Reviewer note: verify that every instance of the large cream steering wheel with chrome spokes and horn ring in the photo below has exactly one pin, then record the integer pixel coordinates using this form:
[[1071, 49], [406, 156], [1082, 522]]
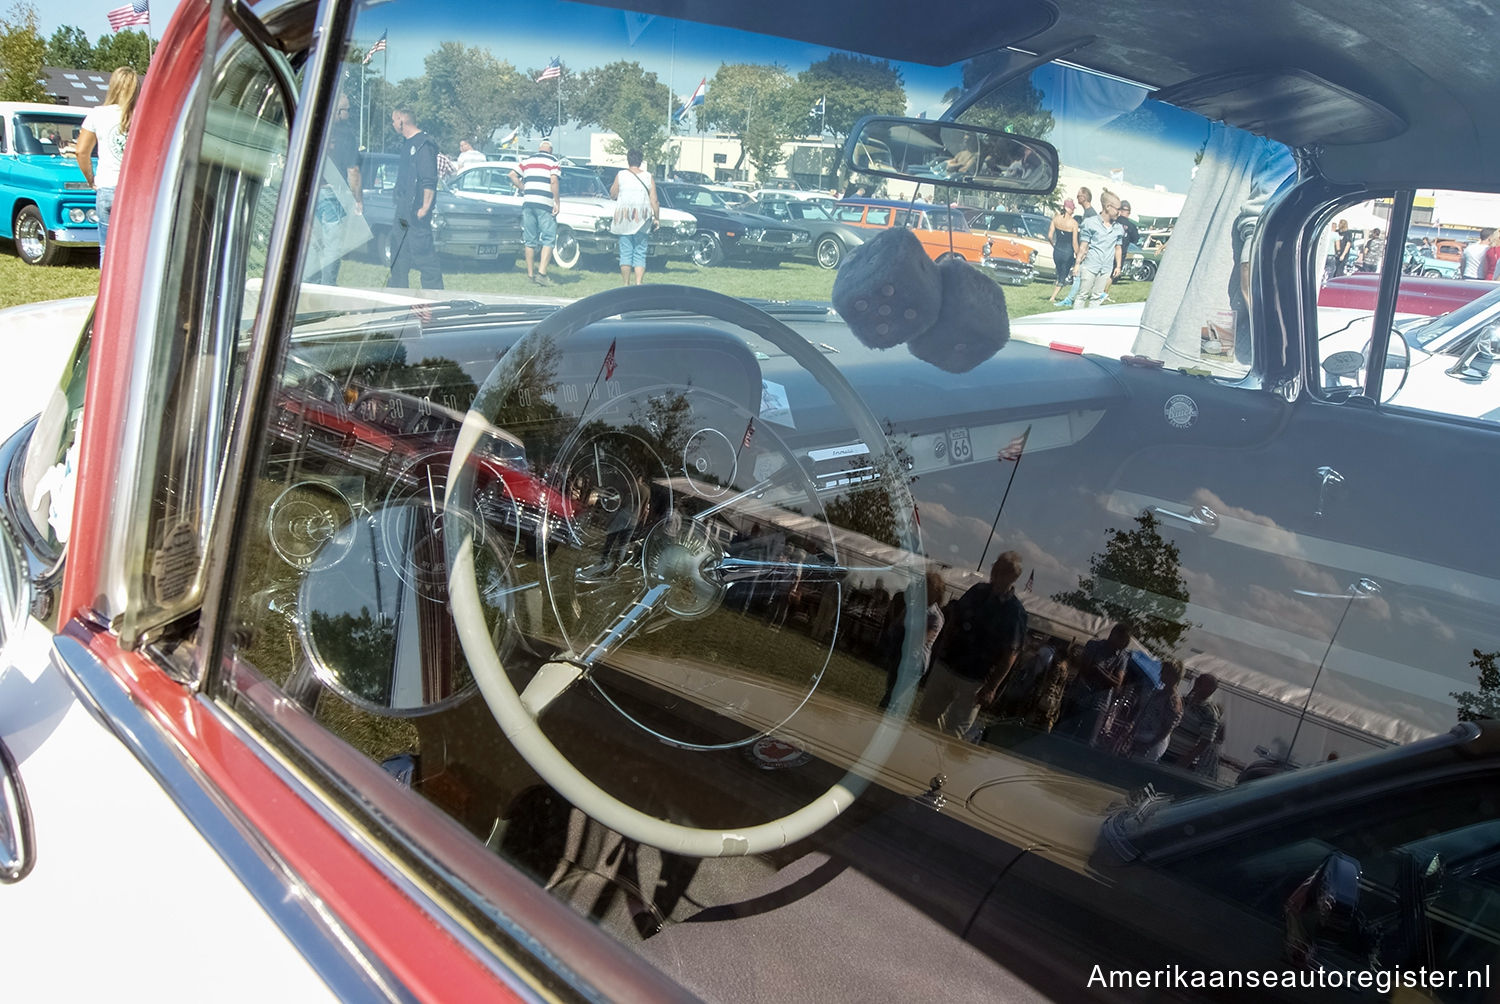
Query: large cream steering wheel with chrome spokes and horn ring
[[668, 500]]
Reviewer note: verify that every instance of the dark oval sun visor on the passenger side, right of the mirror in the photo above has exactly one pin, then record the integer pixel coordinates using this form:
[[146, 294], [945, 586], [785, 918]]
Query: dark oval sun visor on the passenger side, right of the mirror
[[1289, 106]]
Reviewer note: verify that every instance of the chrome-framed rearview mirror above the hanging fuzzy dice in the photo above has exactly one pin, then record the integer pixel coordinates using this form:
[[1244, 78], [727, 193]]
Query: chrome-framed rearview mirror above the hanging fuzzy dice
[[955, 155]]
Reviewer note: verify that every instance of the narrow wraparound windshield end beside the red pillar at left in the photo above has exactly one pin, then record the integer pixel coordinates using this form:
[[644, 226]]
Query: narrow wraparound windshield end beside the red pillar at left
[[199, 350]]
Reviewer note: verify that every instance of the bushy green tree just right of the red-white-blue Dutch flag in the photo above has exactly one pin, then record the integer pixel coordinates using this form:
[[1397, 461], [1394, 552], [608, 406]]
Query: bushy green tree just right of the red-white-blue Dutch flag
[[763, 106]]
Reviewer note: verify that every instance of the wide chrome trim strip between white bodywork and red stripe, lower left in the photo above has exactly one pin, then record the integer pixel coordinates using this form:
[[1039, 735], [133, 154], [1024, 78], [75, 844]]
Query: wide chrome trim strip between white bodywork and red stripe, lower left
[[335, 954]]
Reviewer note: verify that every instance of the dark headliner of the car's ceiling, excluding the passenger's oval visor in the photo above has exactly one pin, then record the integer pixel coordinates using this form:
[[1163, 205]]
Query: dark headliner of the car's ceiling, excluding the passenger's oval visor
[[1429, 61]]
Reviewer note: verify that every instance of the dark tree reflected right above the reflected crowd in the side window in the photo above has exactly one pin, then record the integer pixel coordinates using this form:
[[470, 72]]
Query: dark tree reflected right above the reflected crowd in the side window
[[1138, 579]]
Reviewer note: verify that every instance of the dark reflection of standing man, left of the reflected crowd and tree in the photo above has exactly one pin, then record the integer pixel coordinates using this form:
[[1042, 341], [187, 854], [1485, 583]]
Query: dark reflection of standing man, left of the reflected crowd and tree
[[982, 637]]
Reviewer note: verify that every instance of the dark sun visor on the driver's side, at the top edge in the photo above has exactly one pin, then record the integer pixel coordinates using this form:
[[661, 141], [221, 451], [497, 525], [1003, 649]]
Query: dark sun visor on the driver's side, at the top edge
[[952, 32]]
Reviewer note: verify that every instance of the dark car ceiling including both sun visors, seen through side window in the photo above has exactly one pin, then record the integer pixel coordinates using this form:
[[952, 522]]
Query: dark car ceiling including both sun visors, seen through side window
[[1379, 86]]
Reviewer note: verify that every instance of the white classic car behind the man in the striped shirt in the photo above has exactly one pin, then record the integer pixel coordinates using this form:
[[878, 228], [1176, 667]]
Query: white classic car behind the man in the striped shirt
[[587, 214]]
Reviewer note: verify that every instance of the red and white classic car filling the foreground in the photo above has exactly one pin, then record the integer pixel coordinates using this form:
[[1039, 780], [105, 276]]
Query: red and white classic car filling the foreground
[[673, 739]]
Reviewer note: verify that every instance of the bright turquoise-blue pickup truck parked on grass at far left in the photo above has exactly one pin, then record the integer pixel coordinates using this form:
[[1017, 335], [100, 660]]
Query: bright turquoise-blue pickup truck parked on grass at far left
[[46, 205]]
